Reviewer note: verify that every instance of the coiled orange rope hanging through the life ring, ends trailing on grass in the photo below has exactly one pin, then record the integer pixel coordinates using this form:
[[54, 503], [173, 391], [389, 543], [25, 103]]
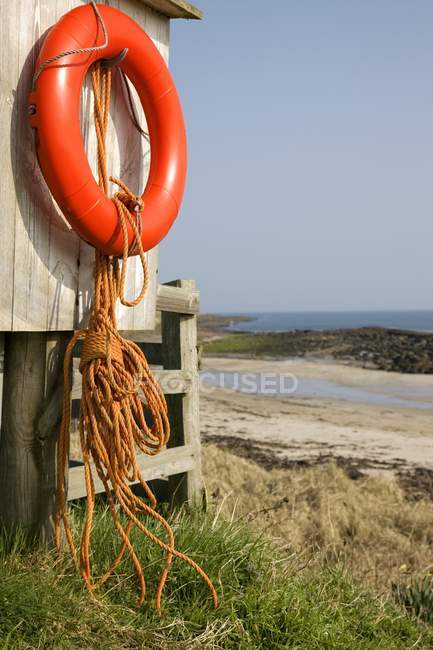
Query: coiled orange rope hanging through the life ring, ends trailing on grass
[[112, 422]]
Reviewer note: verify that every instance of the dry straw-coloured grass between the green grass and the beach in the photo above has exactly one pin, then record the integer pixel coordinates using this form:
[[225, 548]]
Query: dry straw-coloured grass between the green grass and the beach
[[327, 517]]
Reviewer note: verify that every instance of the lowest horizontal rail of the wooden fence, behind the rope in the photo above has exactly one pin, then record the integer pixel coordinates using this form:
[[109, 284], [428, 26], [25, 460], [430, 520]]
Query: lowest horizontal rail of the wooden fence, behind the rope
[[168, 461]]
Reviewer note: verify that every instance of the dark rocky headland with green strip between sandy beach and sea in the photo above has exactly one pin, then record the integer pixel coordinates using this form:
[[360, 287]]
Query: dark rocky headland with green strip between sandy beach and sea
[[371, 347]]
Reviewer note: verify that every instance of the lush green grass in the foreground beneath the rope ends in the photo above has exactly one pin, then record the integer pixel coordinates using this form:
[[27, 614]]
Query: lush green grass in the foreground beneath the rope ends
[[266, 600]]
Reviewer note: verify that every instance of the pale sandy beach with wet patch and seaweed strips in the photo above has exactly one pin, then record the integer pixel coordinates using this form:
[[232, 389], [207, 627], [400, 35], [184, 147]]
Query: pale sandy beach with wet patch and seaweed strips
[[372, 434]]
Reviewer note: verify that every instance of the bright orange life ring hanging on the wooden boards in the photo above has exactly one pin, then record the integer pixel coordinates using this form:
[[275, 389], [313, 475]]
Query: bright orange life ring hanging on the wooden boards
[[54, 108]]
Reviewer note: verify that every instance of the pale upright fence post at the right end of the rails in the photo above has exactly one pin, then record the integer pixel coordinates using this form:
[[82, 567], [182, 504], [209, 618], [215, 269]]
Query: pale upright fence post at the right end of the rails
[[179, 346]]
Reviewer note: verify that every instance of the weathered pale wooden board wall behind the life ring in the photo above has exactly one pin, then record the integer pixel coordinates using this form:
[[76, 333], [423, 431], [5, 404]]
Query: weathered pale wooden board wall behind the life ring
[[46, 271]]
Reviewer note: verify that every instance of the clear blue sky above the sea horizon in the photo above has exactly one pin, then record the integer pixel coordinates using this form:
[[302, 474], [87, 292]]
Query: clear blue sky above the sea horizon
[[310, 132]]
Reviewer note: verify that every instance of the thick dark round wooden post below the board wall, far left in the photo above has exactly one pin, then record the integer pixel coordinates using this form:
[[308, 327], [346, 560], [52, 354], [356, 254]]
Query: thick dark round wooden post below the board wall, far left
[[32, 409]]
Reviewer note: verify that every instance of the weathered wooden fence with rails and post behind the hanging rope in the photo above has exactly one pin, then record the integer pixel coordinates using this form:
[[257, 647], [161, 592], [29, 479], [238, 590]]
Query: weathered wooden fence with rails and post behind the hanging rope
[[174, 353]]
